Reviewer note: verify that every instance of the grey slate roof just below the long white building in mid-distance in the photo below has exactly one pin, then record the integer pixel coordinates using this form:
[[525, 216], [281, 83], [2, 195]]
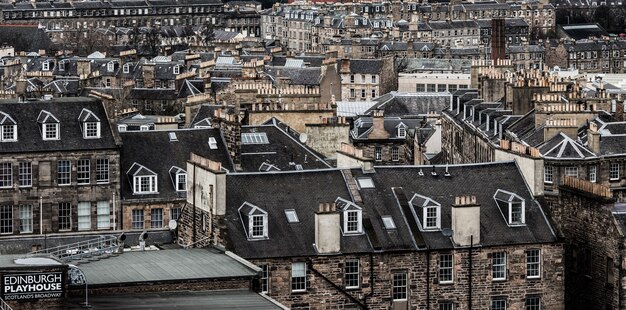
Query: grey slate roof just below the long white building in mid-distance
[[410, 104]]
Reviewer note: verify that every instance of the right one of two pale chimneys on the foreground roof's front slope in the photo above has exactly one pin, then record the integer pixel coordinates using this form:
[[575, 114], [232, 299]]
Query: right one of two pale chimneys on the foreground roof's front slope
[[465, 221]]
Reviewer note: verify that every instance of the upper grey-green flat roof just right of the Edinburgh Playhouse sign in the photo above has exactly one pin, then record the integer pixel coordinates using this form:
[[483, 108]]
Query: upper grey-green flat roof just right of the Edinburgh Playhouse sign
[[164, 265]]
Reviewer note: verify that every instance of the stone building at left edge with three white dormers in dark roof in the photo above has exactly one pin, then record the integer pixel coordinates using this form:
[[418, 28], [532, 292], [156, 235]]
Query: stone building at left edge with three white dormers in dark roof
[[59, 167]]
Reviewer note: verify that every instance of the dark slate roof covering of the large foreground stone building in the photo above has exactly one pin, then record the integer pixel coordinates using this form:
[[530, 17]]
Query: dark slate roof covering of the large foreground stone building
[[394, 187]]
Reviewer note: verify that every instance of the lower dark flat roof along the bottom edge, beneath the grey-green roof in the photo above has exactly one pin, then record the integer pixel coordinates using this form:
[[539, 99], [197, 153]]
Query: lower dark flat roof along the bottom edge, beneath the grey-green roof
[[227, 299]]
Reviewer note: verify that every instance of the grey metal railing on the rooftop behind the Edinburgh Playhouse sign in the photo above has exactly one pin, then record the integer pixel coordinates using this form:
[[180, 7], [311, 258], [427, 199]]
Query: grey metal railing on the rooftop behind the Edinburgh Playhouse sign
[[101, 246]]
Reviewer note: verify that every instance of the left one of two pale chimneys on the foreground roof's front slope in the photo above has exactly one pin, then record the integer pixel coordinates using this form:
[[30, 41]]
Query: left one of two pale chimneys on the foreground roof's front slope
[[327, 229]]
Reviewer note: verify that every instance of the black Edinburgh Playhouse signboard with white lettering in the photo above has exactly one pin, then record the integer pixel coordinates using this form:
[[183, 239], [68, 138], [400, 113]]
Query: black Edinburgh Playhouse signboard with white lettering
[[32, 286]]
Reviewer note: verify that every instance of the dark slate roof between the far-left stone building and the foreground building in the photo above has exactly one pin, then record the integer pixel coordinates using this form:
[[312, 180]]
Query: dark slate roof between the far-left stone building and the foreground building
[[154, 150]]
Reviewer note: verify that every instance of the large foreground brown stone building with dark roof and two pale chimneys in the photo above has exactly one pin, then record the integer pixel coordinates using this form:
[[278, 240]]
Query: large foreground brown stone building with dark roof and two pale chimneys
[[384, 237]]
